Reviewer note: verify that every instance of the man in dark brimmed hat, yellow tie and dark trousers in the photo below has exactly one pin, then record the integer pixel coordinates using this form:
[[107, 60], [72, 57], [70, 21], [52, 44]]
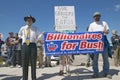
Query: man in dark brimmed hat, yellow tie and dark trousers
[[29, 35]]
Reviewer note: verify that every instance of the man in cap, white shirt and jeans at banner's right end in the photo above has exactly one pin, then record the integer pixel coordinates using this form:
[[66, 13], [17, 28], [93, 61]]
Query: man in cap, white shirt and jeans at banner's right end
[[102, 26]]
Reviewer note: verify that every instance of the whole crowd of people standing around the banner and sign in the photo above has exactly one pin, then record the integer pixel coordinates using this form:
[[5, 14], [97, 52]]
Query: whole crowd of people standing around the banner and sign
[[26, 47]]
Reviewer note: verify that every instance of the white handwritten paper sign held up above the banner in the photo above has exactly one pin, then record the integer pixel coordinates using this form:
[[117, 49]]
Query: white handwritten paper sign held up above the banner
[[65, 18]]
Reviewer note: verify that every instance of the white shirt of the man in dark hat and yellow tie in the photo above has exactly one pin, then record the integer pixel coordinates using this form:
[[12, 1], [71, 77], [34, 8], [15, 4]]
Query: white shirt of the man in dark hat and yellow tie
[[34, 32]]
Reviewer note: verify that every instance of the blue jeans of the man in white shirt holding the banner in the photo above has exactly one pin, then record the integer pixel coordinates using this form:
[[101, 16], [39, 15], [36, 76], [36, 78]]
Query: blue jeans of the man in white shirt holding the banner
[[105, 62]]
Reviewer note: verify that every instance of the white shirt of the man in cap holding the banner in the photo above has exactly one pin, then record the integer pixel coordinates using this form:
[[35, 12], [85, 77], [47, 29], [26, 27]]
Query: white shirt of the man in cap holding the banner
[[98, 26]]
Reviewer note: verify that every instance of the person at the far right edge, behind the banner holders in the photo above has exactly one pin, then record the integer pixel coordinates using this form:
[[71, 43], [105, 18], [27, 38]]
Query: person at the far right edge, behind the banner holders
[[115, 39]]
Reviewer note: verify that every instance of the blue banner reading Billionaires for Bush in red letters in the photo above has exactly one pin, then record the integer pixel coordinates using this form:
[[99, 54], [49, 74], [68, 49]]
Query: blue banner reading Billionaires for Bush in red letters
[[73, 43]]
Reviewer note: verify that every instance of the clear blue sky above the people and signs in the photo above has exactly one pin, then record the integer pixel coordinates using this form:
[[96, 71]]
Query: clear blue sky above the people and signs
[[12, 13]]
